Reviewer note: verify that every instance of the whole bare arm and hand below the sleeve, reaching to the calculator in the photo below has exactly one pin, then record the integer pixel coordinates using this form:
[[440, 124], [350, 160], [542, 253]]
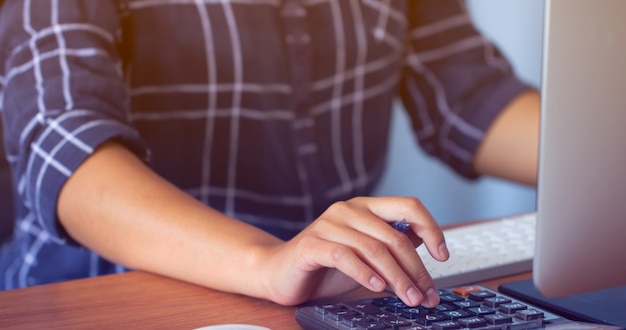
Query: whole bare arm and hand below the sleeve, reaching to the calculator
[[116, 206]]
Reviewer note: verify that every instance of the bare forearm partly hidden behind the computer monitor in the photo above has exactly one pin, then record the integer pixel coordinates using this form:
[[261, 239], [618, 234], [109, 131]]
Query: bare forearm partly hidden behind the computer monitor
[[510, 149]]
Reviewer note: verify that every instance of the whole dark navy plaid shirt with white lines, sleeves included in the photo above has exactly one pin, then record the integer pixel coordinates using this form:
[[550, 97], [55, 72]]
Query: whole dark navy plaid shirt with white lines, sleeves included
[[267, 110]]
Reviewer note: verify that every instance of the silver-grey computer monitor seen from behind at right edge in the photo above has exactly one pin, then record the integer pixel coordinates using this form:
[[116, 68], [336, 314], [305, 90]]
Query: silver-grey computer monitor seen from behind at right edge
[[581, 196]]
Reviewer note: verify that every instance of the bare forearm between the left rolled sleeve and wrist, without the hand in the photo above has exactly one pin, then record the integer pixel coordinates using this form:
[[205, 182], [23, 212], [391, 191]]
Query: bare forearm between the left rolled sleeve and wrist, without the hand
[[116, 206]]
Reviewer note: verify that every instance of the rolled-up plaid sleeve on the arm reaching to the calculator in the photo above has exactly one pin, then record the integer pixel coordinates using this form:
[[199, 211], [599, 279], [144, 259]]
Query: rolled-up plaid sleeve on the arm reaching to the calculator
[[61, 95]]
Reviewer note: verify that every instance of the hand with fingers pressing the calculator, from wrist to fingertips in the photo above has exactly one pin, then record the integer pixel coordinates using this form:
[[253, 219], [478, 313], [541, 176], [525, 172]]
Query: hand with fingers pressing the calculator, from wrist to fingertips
[[352, 244]]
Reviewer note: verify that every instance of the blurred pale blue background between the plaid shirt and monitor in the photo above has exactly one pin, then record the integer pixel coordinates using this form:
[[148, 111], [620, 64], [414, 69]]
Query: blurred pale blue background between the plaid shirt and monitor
[[515, 26]]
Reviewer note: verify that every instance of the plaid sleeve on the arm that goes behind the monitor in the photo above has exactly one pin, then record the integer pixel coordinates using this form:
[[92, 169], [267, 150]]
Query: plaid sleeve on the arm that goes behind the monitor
[[455, 82]]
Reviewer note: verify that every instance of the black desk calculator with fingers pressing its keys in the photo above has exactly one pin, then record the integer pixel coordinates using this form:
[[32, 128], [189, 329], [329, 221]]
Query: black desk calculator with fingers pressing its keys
[[466, 307]]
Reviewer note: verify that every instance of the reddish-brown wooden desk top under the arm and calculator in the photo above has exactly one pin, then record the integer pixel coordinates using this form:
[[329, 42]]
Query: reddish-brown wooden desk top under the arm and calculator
[[137, 300]]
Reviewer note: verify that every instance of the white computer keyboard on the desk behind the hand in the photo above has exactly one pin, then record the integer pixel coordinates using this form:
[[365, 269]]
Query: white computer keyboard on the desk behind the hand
[[484, 250]]
